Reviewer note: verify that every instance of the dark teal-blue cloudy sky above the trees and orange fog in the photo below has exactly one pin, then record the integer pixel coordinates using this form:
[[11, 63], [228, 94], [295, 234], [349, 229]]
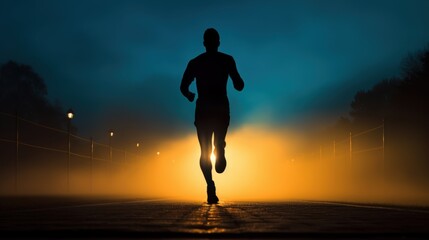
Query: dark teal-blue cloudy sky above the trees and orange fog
[[118, 64]]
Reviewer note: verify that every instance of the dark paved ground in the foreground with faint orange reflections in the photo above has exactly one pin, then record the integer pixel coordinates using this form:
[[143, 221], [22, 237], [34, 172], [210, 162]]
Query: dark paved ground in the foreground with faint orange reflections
[[89, 218]]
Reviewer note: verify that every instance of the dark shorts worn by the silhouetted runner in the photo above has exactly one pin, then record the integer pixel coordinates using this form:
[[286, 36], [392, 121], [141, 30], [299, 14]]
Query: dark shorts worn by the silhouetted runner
[[212, 114]]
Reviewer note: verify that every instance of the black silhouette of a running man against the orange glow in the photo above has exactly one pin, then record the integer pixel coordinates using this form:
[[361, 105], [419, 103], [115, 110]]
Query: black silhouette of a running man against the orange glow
[[211, 70]]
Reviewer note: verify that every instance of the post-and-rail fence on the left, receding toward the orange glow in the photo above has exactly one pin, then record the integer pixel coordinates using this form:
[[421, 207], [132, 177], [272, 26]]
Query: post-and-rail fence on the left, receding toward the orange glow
[[19, 135]]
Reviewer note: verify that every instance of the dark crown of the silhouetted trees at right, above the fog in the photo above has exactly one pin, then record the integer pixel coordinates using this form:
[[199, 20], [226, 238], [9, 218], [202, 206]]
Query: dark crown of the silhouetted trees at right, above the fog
[[401, 100]]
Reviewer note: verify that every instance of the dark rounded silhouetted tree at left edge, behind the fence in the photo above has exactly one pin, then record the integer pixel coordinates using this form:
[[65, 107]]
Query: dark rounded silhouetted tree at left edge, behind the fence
[[24, 92]]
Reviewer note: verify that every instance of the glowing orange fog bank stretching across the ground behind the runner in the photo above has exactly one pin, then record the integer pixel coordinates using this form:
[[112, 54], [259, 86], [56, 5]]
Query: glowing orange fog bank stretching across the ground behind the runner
[[264, 164]]
